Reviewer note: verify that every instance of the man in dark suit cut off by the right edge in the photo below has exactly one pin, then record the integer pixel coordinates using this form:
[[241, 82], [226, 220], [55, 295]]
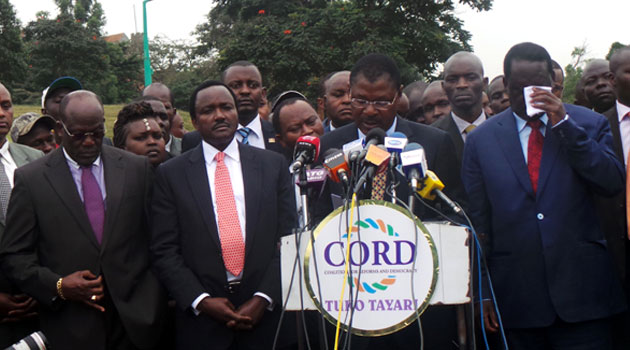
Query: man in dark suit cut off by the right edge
[[612, 211]]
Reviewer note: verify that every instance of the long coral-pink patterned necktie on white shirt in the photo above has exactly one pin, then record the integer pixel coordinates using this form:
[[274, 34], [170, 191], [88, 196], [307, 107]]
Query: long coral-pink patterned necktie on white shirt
[[232, 244]]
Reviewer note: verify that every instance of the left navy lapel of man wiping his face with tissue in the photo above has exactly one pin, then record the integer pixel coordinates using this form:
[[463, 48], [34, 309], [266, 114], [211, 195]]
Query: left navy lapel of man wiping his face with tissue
[[508, 138]]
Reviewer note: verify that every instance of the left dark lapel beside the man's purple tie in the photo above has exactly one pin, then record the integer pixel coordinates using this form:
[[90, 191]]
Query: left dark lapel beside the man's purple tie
[[60, 179]]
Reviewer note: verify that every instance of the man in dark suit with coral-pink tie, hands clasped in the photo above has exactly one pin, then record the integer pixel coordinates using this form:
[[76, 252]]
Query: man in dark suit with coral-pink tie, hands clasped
[[219, 211]]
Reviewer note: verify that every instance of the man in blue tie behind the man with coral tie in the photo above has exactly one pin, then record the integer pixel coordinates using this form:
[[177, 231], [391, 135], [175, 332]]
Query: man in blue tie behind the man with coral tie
[[245, 81]]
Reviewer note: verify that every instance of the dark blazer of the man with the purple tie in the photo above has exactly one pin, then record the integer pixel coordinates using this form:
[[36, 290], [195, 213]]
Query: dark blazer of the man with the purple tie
[[49, 235]]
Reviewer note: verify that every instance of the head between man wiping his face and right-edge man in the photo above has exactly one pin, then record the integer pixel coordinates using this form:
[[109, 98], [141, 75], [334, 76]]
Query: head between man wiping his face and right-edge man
[[597, 84]]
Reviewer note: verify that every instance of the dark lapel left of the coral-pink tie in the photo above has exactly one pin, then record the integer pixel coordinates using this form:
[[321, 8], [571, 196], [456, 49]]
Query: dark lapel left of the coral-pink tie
[[198, 179]]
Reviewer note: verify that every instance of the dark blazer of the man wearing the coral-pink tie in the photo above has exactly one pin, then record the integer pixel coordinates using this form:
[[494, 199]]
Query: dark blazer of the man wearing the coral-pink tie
[[186, 246]]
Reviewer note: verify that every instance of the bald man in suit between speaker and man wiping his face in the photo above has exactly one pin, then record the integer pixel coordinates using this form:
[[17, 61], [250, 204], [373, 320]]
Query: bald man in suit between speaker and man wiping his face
[[464, 84]]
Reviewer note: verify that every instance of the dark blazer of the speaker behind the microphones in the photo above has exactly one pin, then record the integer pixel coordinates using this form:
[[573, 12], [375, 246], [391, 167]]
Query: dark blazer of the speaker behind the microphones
[[439, 151]]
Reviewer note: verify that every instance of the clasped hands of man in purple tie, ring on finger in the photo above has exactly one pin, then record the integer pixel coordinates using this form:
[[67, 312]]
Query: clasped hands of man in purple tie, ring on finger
[[85, 287]]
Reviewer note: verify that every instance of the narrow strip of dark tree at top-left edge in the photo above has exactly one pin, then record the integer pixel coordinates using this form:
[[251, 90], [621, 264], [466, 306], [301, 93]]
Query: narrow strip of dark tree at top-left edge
[[12, 55]]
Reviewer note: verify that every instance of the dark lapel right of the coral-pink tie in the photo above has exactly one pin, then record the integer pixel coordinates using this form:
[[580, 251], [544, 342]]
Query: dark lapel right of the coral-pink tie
[[251, 169]]
